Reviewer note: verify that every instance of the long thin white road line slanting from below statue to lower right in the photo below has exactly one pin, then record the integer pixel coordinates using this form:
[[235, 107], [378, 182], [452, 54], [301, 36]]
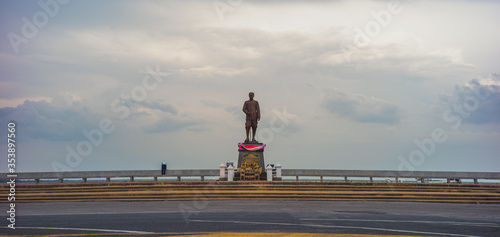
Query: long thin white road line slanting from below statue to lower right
[[333, 226]]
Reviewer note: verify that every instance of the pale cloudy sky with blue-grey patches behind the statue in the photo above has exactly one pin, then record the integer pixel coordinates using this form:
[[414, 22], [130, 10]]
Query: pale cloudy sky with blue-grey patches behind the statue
[[118, 85]]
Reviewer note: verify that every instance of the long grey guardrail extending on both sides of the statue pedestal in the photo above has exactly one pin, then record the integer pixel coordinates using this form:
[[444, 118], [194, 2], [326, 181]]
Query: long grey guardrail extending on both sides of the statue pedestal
[[84, 175]]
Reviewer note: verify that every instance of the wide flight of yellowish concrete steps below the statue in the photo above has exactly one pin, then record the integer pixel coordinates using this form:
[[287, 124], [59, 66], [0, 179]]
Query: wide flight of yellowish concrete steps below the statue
[[172, 191]]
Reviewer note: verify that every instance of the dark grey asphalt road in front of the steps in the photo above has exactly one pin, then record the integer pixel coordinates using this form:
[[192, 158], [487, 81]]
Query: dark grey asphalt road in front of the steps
[[163, 218]]
